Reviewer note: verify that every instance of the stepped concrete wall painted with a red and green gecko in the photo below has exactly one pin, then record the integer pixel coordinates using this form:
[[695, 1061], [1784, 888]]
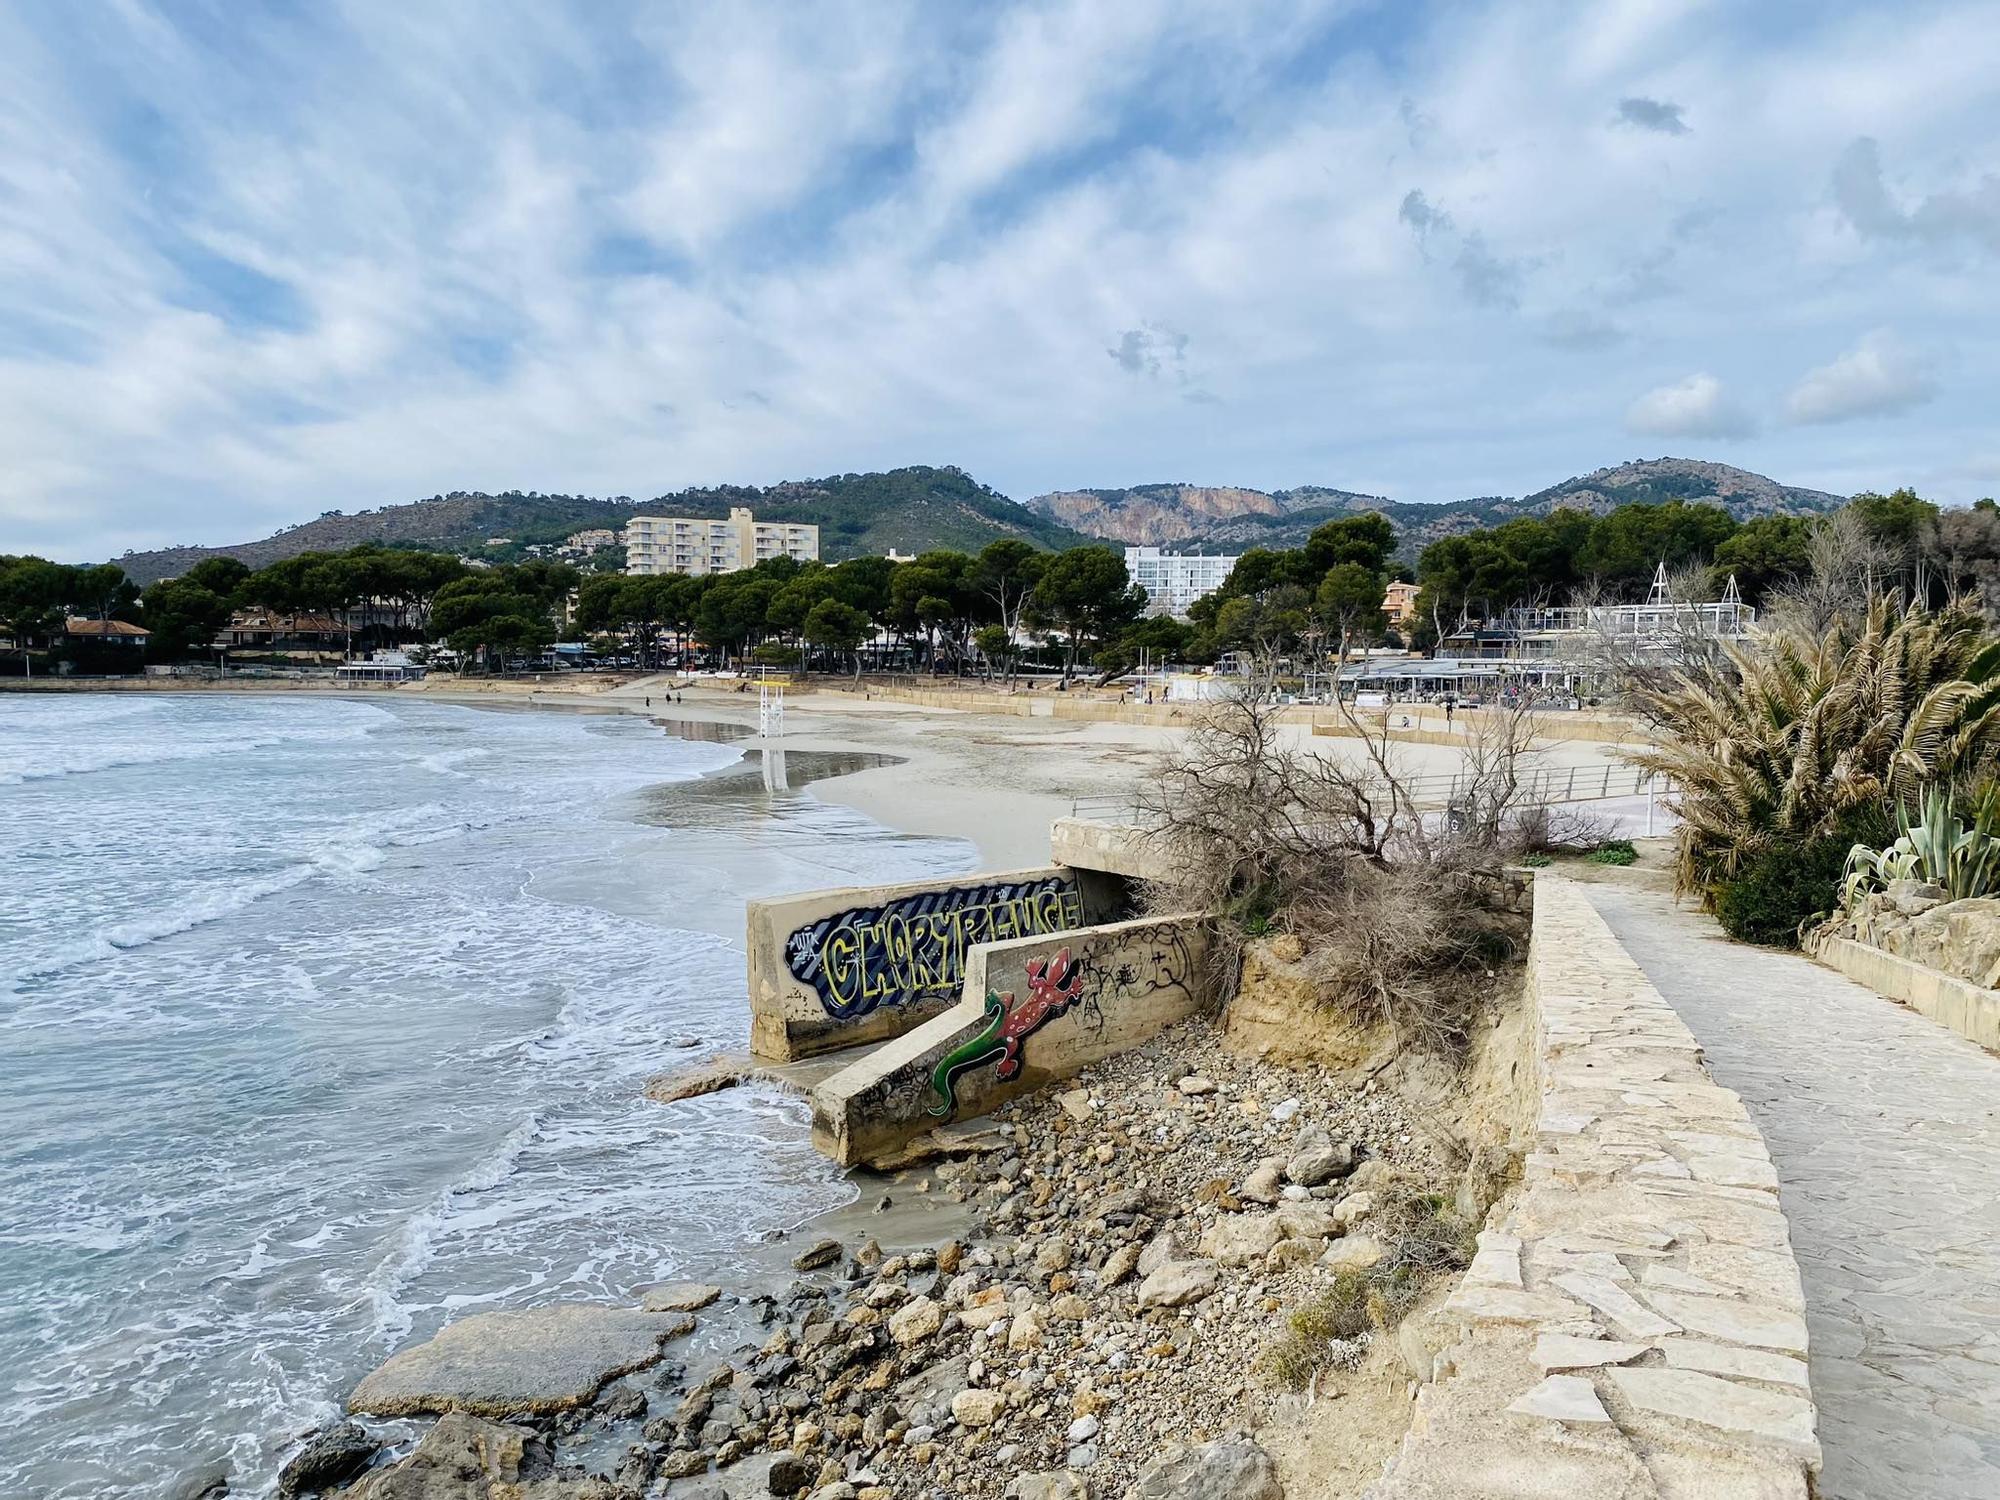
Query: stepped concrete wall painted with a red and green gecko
[[1033, 1011]]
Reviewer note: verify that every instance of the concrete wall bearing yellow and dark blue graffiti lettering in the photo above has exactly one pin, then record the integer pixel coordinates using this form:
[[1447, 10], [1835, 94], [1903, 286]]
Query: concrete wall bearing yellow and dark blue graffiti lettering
[[837, 969]]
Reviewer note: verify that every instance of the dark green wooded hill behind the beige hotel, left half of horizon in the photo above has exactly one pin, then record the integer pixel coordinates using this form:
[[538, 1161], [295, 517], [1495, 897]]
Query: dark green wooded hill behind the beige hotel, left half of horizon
[[859, 515]]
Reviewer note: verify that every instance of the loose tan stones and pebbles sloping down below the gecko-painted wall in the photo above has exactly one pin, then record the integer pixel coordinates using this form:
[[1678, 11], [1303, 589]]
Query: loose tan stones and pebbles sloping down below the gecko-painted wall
[[1075, 1327]]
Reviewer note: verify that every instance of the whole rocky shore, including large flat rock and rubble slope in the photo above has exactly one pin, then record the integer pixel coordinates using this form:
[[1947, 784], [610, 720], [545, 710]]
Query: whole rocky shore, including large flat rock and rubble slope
[[1119, 1317]]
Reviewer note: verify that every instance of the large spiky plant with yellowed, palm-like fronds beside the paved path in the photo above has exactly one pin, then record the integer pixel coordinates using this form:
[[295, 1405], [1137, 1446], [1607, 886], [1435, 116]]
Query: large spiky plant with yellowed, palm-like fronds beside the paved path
[[1795, 735]]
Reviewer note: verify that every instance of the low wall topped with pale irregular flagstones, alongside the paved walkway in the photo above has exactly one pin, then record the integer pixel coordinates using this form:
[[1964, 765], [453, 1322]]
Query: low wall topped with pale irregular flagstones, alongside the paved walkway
[[1633, 1323]]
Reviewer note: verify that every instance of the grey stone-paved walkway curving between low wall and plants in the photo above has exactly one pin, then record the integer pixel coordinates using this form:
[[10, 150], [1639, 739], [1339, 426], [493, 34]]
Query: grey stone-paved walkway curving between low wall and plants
[[1887, 1137]]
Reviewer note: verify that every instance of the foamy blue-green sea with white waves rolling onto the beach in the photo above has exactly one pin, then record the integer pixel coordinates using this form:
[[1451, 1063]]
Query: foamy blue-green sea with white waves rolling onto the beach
[[325, 1023]]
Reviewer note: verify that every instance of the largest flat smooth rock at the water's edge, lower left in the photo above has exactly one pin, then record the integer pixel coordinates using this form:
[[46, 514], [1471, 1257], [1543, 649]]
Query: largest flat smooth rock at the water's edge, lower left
[[519, 1363]]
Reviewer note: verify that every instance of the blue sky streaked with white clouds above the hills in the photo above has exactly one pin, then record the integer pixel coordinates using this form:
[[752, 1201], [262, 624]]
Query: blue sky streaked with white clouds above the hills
[[265, 259]]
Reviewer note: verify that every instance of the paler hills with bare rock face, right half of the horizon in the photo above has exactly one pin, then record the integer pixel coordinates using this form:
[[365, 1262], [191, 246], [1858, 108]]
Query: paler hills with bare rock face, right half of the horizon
[[1235, 517]]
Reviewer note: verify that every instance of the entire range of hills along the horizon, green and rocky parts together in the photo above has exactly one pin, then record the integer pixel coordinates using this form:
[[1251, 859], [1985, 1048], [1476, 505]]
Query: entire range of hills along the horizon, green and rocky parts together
[[917, 509]]
